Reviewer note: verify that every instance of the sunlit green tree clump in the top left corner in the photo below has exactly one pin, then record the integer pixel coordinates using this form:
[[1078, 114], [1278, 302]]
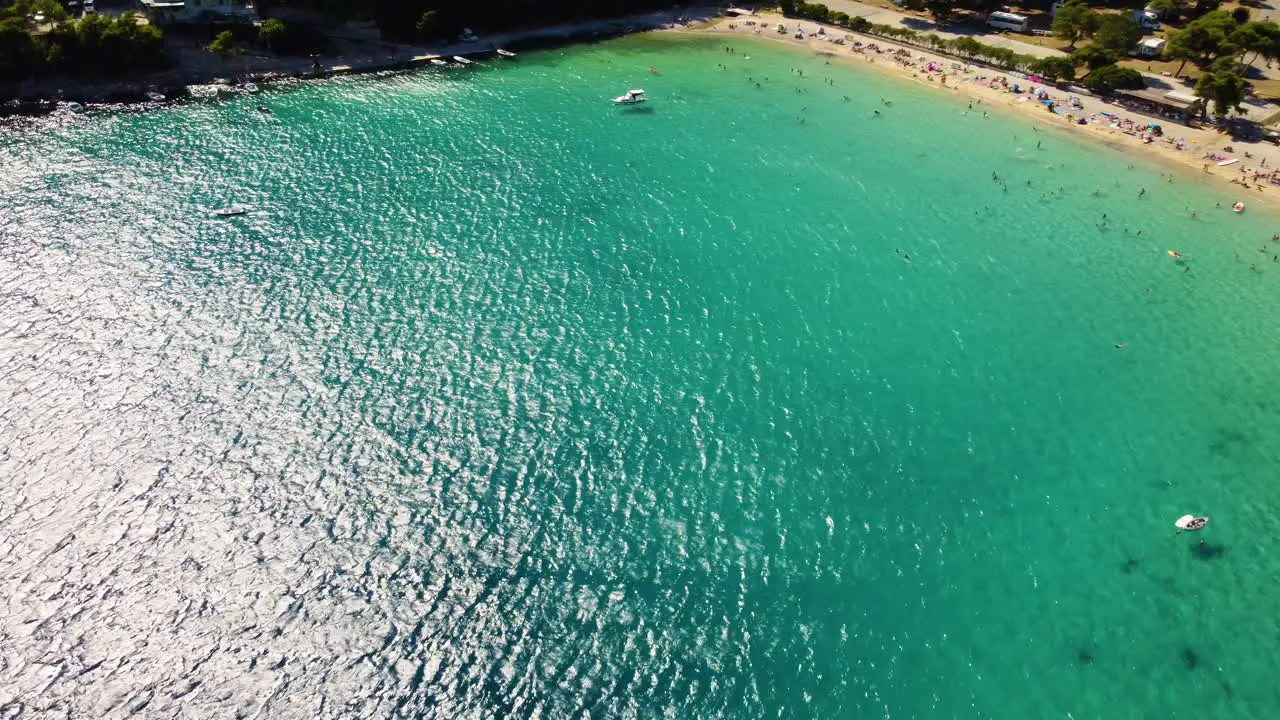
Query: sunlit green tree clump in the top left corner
[[39, 38]]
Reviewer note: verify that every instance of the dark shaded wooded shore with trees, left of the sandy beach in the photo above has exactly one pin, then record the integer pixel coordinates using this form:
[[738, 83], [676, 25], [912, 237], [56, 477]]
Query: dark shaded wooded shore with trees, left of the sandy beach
[[36, 35]]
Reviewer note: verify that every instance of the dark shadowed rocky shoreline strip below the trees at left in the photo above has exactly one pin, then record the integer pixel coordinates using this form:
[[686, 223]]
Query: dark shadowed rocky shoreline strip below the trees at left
[[195, 69]]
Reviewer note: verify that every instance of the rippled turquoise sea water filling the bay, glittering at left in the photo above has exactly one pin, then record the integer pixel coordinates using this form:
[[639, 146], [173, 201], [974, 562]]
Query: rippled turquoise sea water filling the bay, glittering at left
[[505, 403]]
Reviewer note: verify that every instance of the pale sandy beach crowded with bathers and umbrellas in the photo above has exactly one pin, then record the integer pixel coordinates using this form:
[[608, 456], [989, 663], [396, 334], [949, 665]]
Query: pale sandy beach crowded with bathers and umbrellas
[[1182, 148]]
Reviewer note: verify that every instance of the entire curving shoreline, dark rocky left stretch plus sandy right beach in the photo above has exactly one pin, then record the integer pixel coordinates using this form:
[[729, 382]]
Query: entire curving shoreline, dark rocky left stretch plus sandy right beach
[[890, 60]]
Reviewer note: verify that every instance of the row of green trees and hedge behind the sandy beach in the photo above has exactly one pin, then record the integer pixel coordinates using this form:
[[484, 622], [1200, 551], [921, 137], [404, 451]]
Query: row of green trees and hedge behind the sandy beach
[[1223, 45]]
